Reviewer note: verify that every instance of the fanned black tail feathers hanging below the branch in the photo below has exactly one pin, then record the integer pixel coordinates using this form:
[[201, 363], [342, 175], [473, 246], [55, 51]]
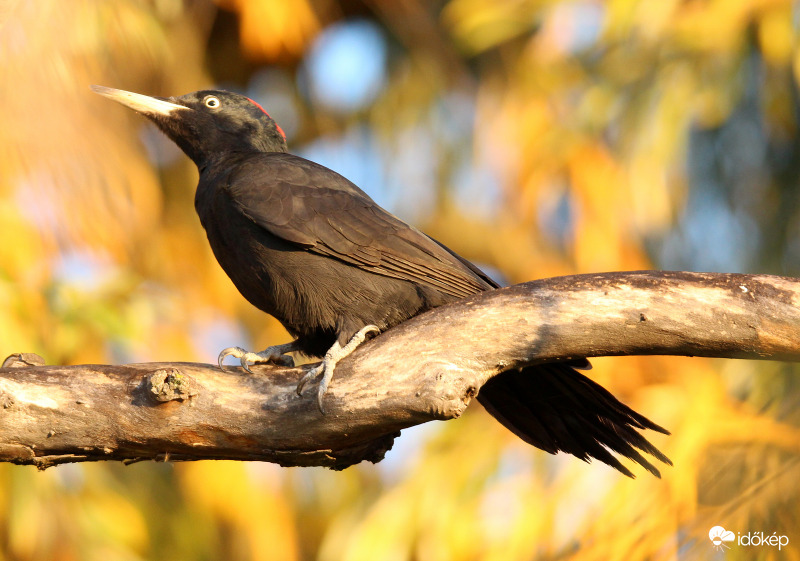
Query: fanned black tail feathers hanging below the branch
[[557, 409]]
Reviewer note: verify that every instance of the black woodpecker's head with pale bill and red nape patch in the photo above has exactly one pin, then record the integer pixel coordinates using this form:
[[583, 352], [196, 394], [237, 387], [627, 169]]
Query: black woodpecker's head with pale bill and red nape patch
[[207, 123]]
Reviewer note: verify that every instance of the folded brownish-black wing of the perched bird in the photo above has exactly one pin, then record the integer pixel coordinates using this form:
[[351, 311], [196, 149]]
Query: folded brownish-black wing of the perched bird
[[318, 209]]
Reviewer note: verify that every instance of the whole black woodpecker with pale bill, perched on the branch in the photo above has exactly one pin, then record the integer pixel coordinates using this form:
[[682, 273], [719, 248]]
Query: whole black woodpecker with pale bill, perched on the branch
[[307, 246]]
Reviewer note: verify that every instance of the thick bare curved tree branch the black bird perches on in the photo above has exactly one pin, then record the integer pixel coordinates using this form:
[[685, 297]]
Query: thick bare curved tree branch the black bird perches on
[[427, 368]]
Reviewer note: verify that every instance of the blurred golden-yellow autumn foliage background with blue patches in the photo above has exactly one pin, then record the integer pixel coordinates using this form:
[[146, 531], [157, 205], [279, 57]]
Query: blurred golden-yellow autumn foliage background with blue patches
[[535, 137]]
